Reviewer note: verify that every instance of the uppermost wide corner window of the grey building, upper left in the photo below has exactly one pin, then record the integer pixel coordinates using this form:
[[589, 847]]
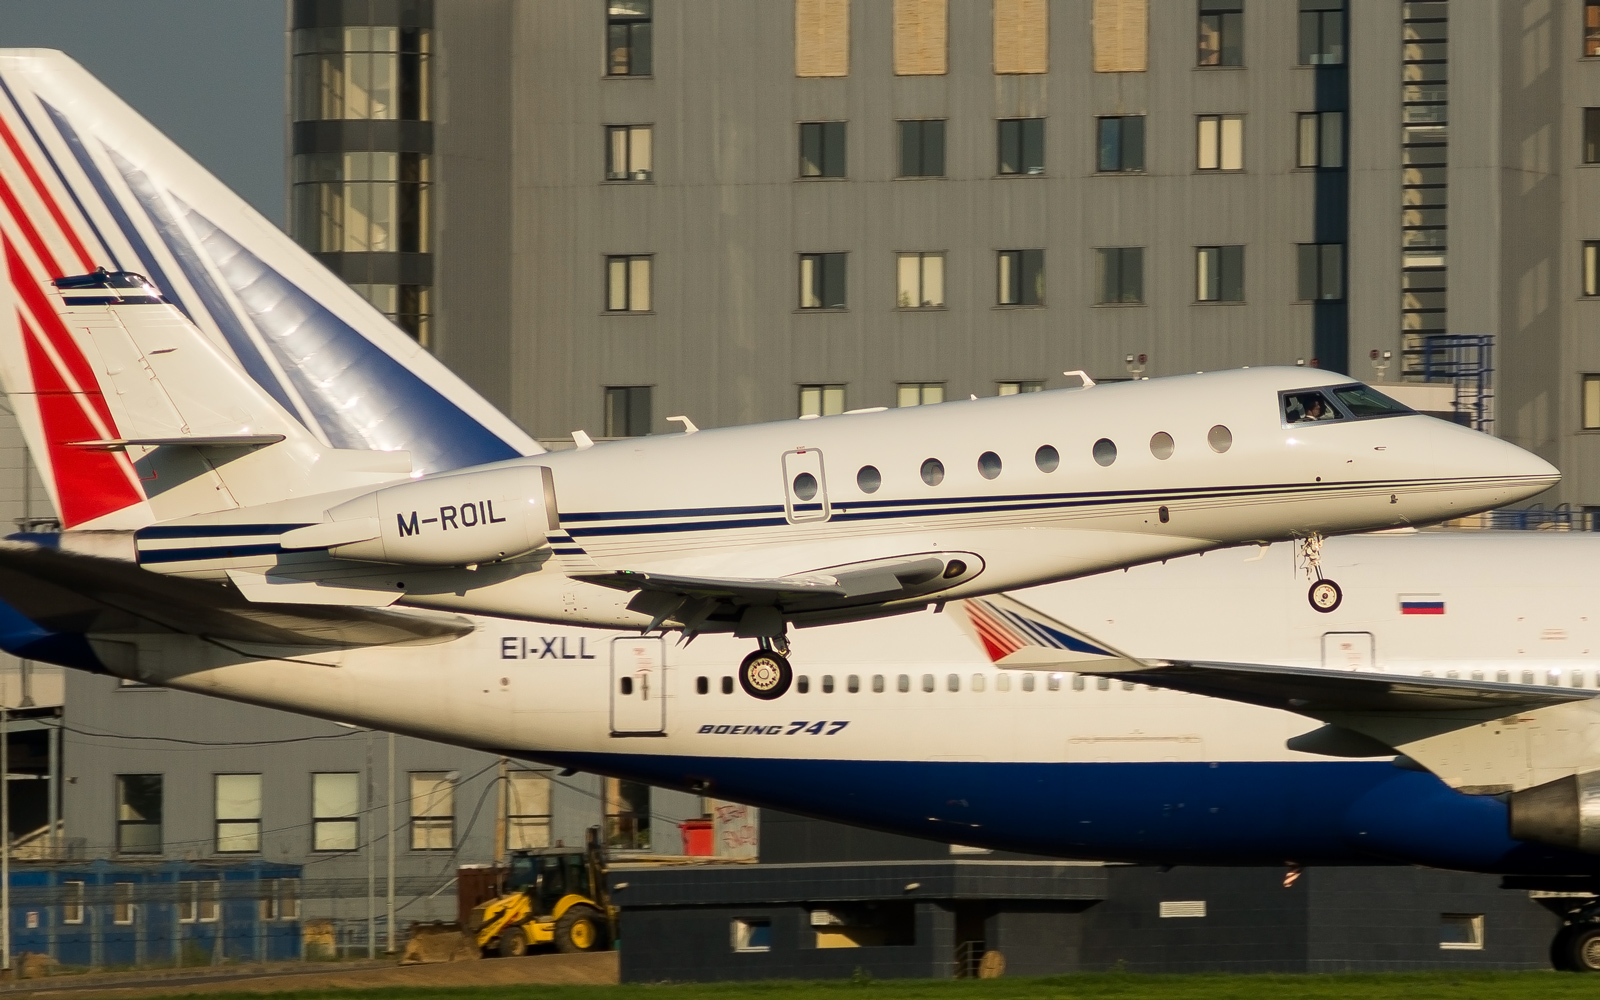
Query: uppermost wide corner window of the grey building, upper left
[[362, 73]]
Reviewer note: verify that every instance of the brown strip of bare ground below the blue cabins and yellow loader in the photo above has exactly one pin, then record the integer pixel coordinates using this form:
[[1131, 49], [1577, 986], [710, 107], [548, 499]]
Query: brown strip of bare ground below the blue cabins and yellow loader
[[598, 969]]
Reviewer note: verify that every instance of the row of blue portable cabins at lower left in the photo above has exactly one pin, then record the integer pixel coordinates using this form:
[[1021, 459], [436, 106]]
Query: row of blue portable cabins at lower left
[[103, 914]]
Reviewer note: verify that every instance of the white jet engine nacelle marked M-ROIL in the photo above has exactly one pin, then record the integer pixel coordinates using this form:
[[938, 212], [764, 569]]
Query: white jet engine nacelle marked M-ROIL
[[455, 521]]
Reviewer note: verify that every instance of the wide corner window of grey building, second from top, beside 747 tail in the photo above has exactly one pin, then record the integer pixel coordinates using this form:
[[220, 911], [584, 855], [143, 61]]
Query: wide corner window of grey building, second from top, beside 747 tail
[[362, 202]]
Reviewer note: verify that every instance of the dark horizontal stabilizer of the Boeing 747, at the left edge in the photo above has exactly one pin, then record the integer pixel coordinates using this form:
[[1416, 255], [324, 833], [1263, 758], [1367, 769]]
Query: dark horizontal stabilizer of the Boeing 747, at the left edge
[[78, 593]]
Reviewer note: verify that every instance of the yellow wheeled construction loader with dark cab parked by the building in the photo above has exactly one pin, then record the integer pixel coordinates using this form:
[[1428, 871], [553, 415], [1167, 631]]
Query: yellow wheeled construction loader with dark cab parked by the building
[[551, 897]]
